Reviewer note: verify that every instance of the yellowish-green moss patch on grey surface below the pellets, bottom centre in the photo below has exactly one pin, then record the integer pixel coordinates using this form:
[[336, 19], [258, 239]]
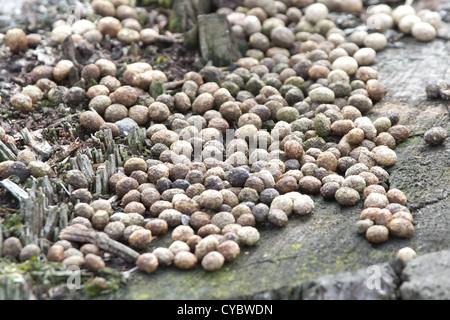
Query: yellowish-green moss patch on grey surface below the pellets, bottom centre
[[243, 279]]
